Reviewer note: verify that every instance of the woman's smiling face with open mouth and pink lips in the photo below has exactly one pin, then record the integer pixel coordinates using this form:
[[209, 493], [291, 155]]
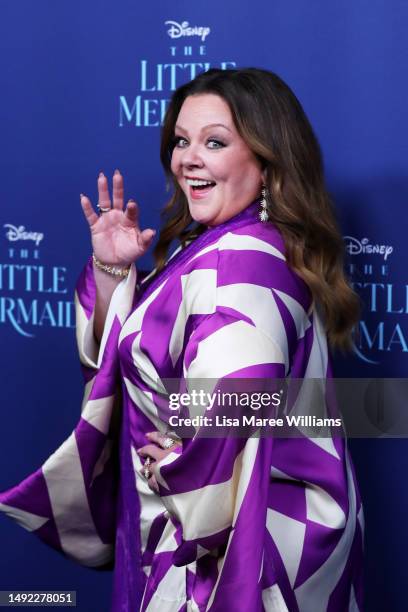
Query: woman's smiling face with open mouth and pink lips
[[213, 165]]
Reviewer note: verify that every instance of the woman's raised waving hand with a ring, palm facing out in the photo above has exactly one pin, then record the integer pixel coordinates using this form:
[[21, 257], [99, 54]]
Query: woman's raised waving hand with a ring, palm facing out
[[116, 236]]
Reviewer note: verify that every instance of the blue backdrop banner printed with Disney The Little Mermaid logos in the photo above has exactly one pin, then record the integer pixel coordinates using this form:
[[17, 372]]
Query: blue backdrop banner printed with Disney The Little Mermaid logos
[[84, 87]]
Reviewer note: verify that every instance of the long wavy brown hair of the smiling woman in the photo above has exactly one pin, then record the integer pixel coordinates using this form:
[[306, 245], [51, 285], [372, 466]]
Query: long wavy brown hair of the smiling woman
[[271, 121]]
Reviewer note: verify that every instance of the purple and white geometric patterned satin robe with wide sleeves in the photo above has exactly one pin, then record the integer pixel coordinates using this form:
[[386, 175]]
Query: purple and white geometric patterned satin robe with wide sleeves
[[240, 524]]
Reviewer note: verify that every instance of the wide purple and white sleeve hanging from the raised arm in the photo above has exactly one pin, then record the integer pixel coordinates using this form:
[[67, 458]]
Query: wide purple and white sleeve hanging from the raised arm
[[70, 502]]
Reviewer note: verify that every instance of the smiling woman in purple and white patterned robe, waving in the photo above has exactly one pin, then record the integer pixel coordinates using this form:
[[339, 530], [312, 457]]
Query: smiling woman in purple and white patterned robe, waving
[[254, 291]]
